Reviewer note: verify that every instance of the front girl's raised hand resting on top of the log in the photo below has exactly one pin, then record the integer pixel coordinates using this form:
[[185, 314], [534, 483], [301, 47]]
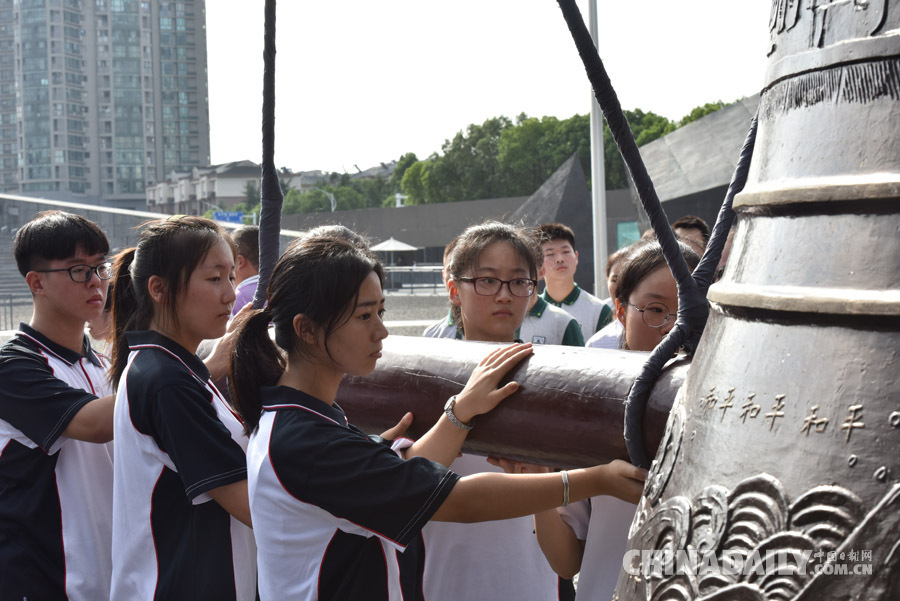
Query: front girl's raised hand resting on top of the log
[[481, 394]]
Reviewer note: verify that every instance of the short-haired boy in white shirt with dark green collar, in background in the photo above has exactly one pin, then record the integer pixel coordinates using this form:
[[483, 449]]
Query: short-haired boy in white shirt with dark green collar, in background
[[560, 263]]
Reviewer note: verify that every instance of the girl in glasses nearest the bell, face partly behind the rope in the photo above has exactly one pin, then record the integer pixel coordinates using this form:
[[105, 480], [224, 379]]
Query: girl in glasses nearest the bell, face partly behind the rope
[[594, 532]]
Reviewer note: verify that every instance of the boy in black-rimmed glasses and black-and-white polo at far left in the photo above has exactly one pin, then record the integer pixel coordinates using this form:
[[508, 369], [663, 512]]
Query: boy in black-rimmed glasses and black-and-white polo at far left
[[56, 407]]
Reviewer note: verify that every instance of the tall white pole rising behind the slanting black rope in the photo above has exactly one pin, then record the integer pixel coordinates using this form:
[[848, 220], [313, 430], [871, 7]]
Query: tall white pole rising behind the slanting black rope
[[598, 178]]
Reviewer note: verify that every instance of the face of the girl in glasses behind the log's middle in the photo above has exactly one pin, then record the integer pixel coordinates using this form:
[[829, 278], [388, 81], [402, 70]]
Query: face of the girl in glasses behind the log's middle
[[496, 317]]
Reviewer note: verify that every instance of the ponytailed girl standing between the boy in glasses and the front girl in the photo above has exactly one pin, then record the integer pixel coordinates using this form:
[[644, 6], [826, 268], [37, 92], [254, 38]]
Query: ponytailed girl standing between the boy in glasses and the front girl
[[181, 521]]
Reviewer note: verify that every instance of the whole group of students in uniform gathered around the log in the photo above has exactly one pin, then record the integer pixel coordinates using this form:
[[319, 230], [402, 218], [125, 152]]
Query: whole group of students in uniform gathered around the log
[[133, 477]]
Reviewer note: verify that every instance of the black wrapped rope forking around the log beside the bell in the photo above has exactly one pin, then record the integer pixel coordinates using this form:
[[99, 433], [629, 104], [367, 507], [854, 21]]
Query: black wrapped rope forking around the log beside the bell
[[693, 309]]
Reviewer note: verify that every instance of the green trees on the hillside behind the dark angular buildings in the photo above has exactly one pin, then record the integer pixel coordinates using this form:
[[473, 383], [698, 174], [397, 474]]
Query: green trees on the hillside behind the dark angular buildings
[[492, 160]]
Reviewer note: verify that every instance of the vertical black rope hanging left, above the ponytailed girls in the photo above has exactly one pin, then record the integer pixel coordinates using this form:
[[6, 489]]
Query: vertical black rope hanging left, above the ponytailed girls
[[271, 197]]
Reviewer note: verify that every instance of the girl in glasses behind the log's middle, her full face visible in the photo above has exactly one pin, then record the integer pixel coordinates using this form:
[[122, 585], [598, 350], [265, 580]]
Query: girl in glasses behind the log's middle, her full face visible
[[492, 275]]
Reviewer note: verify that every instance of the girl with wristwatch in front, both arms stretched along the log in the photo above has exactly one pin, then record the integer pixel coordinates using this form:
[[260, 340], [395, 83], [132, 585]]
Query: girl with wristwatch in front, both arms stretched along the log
[[333, 507]]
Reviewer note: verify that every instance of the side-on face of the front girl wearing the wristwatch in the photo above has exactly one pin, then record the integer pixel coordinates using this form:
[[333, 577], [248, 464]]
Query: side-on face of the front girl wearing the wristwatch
[[356, 345]]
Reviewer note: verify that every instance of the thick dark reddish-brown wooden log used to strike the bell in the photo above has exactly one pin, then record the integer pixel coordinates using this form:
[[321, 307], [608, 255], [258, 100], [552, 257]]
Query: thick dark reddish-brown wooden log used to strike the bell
[[568, 412]]
